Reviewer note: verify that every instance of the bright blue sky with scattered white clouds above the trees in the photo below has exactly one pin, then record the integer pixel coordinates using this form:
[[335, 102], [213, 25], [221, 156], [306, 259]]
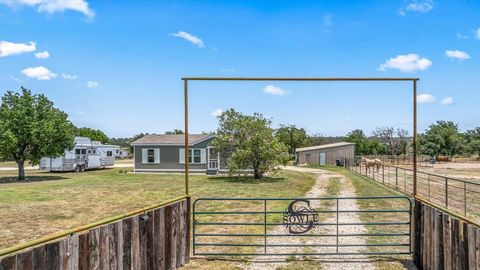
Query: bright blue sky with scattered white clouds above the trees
[[116, 65]]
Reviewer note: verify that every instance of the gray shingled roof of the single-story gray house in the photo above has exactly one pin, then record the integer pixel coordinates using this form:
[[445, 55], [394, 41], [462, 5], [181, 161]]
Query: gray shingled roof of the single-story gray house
[[171, 139]]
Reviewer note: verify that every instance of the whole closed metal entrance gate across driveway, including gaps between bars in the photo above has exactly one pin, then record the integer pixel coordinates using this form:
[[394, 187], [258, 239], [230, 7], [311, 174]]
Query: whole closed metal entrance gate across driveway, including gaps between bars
[[302, 226]]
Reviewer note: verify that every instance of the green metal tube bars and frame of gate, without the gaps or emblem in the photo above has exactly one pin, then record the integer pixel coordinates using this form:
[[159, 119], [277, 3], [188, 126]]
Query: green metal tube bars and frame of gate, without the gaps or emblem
[[337, 211]]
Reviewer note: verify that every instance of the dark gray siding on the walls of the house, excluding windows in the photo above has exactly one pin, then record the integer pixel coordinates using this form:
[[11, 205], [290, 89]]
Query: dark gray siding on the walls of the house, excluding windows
[[169, 158]]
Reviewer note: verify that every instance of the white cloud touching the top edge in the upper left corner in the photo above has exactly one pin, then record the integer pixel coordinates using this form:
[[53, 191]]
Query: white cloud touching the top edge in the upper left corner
[[52, 6]]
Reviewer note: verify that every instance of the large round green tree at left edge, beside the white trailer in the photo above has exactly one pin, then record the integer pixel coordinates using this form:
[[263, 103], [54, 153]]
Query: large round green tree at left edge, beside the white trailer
[[32, 128]]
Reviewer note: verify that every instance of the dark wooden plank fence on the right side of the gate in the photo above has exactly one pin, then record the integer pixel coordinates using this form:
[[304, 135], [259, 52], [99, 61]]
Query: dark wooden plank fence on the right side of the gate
[[443, 241]]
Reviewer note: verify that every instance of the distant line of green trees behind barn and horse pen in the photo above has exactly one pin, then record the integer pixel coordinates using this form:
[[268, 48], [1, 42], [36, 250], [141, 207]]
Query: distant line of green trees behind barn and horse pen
[[442, 138]]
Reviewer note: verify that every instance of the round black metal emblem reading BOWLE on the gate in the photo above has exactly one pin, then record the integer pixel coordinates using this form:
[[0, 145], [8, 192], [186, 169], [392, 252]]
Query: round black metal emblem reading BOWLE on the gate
[[299, 217]]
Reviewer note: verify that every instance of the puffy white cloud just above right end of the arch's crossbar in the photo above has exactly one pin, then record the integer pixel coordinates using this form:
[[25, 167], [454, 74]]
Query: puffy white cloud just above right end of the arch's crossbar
[[406, 63]]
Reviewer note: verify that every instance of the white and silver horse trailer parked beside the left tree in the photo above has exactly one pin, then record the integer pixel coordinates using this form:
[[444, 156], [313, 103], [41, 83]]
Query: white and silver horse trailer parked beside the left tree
[[86, 155]]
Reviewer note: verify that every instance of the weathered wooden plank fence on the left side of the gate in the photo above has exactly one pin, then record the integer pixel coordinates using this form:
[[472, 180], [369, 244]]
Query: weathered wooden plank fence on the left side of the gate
[[157, 239]]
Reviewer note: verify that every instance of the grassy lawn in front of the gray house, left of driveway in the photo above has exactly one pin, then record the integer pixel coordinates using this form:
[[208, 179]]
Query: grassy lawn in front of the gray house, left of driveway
[[52, 202]]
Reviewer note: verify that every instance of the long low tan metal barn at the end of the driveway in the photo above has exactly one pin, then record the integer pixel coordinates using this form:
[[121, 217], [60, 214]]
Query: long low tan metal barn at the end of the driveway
[[341, 154]]
